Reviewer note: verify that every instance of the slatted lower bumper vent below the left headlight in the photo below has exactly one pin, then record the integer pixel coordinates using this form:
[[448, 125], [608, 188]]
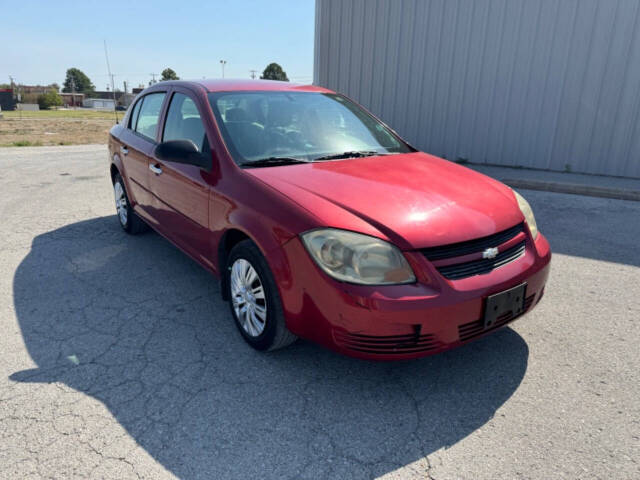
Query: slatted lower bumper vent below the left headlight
[[388, 344]]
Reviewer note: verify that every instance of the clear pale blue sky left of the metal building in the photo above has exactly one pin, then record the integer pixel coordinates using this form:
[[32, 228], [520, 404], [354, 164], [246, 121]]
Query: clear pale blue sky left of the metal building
[[40, 40]]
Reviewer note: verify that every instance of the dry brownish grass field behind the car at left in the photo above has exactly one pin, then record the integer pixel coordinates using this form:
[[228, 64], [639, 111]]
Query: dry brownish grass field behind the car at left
[[56, 127]]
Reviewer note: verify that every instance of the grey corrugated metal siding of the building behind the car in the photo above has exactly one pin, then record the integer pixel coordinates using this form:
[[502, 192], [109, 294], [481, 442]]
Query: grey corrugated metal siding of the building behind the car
[[552, 84]]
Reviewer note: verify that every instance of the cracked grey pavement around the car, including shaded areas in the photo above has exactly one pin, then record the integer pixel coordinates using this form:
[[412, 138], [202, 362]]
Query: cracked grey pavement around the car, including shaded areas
[[119, 360]]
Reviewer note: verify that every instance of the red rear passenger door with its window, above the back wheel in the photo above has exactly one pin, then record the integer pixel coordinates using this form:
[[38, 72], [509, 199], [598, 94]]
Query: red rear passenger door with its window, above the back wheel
[[140, 138]]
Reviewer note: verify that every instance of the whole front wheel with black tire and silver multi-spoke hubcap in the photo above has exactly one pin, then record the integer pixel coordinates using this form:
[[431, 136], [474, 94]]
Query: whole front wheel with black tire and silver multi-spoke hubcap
[[254, 299]]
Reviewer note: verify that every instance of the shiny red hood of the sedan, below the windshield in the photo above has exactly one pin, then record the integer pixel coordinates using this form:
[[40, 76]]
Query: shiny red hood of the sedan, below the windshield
[[414, 200]]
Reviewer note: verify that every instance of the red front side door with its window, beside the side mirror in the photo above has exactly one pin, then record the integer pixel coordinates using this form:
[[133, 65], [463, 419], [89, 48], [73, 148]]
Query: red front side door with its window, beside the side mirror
[[181, 192]]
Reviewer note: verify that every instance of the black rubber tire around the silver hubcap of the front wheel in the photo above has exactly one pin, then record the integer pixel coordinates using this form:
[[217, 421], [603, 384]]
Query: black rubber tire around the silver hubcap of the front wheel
[[275, 334]]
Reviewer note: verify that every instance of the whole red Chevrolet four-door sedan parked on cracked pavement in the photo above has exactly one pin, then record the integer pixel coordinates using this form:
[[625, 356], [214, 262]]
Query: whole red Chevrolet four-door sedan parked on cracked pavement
[[321, 222]]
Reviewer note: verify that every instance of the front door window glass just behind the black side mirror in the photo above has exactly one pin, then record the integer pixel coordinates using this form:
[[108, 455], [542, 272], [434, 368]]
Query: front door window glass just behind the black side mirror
[[184, 122]]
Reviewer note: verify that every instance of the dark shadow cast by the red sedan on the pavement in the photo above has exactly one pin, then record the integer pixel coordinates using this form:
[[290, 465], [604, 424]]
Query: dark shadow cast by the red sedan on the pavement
[[137, 325]]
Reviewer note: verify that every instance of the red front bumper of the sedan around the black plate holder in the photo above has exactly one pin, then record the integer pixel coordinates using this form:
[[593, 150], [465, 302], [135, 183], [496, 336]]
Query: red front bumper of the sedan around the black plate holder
[[400, 321]]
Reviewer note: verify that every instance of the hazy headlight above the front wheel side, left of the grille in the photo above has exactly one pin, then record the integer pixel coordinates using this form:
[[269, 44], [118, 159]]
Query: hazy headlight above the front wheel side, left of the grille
[[356, 258]]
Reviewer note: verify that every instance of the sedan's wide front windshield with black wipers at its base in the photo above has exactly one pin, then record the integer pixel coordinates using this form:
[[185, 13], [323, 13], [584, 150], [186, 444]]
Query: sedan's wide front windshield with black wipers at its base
[[269, 126]]
